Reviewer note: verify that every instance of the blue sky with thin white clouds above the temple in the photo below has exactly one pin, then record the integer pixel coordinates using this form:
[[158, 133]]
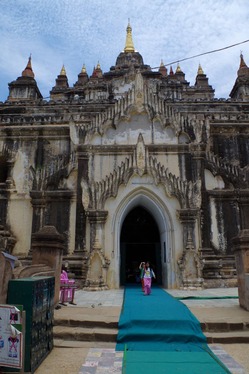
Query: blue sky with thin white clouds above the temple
[[77, 32]]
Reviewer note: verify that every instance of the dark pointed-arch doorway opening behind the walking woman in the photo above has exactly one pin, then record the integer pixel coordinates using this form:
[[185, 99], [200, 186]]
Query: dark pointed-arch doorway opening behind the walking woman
[[139, 241]]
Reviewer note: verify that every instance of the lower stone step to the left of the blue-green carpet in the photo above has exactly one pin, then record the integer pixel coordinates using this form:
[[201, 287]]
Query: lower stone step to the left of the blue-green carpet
[[85, 334]]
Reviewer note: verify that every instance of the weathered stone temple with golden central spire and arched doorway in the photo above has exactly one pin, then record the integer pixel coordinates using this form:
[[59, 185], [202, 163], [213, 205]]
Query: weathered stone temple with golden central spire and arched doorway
[[129, 165]]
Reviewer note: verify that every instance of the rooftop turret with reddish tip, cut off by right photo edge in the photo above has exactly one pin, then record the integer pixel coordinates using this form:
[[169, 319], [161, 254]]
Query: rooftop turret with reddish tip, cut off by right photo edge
[[240, 89]]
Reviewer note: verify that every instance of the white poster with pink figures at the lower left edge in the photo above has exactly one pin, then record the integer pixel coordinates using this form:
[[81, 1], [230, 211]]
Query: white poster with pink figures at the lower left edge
[[11, 337]]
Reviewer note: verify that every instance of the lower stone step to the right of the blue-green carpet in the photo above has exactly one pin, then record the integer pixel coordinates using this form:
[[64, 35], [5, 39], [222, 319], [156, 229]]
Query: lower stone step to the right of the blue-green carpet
[[231, 337]]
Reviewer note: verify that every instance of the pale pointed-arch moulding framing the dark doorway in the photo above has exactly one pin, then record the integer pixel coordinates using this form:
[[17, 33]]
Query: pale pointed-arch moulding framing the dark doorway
[[157, 209]]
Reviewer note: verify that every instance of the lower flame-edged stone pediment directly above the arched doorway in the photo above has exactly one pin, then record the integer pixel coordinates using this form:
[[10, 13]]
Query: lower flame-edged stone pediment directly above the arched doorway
[[187, 193]]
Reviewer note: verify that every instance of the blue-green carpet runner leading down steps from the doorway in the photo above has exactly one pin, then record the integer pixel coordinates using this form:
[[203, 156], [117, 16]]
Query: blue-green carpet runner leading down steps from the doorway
[[159, 333]]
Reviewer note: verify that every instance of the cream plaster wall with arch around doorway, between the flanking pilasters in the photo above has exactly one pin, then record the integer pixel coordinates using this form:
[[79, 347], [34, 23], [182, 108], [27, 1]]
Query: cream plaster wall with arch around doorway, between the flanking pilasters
[[142, 191]]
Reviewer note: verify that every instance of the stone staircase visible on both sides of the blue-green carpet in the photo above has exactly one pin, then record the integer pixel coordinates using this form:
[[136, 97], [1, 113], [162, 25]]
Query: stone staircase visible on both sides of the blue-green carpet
[[99, 327]]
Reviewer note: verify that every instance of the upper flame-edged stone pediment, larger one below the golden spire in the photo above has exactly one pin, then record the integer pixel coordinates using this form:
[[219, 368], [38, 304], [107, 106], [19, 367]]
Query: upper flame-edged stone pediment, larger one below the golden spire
[[142, 99]]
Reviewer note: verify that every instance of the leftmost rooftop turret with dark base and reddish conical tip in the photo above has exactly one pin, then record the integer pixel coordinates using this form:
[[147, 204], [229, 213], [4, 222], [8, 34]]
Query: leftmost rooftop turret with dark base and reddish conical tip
[[24, 87]]
